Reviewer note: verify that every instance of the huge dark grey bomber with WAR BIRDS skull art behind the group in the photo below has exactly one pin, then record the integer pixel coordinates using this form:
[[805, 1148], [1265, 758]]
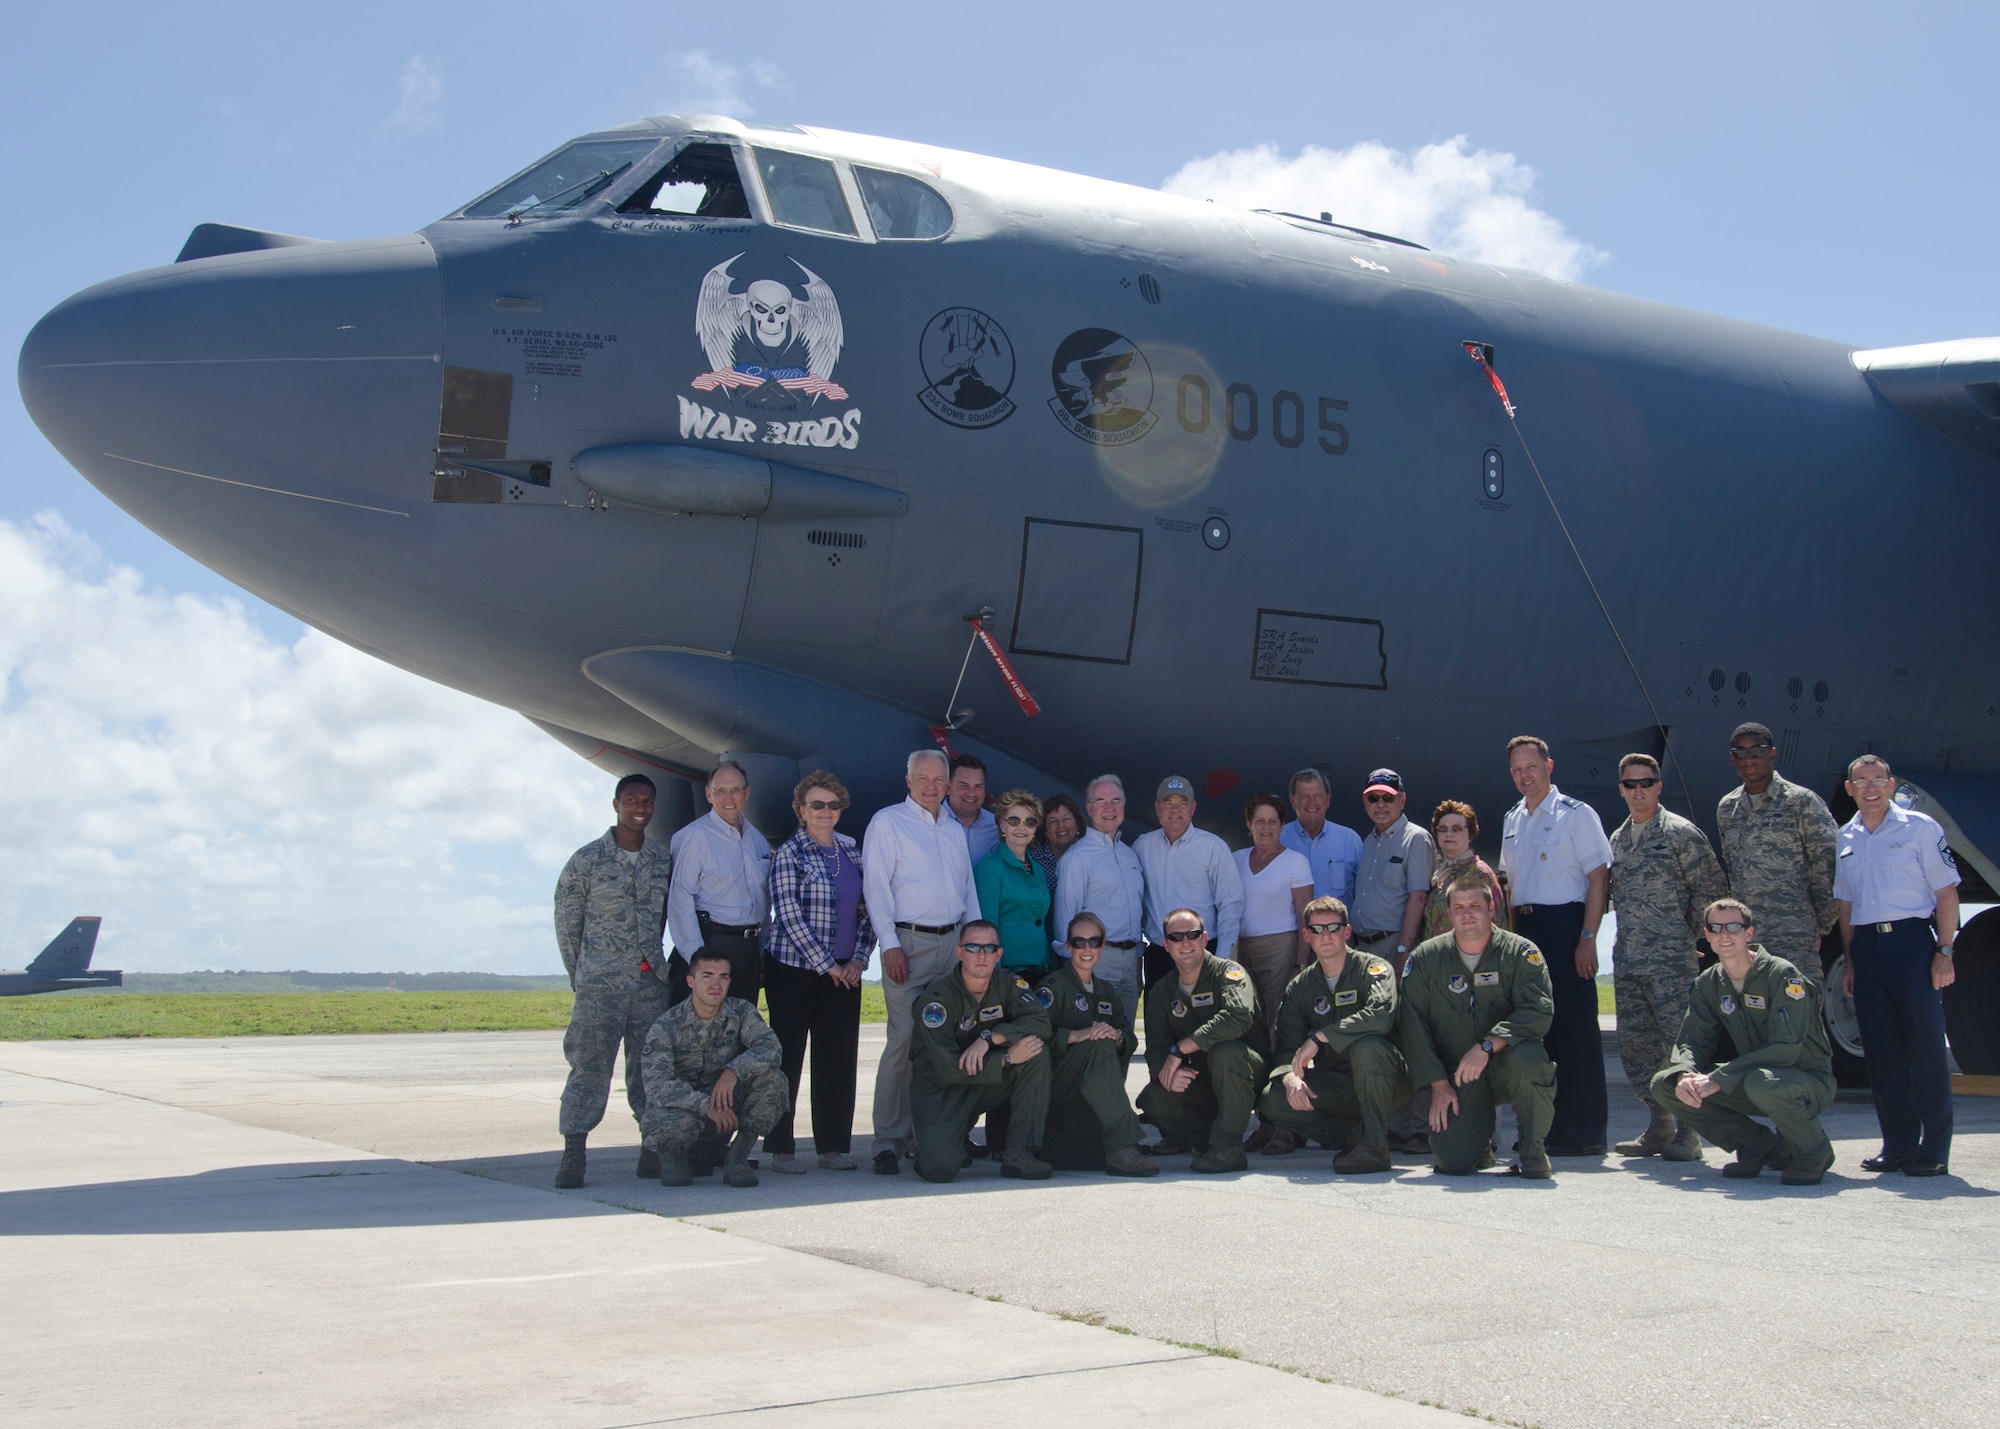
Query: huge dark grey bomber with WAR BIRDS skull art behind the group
[[711, 437]]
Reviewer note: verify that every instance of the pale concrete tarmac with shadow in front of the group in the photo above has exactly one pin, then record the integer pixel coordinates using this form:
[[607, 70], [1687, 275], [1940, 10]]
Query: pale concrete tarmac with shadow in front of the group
[[269, 1230]]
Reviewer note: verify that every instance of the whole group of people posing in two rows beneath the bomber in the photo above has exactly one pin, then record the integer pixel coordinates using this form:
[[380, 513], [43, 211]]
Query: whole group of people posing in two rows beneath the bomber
[[1375, 994]]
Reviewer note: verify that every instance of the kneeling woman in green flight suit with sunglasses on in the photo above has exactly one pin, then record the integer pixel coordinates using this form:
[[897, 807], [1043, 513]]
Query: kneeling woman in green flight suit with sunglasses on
[[1091, 1124]]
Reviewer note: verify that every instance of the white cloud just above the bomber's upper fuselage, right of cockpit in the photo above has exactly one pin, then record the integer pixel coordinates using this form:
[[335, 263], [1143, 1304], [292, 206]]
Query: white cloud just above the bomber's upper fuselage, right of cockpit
[[1449, 197]]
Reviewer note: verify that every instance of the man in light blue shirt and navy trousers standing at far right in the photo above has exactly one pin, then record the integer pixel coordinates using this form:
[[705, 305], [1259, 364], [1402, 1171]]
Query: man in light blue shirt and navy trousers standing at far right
[[1897, 890]]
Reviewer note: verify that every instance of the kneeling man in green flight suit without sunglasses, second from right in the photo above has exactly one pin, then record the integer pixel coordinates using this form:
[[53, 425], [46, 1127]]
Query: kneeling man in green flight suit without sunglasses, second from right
[[1475, 1008]]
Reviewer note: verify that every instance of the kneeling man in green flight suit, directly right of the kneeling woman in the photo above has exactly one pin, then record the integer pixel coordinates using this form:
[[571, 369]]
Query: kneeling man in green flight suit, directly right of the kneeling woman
[[1205, 1076]]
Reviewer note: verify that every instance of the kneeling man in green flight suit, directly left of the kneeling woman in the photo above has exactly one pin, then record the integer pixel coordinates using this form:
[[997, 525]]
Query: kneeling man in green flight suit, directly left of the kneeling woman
[[979, 1044]]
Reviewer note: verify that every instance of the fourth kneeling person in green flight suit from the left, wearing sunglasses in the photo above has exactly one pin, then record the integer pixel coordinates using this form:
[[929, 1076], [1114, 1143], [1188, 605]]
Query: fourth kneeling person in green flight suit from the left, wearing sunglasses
[[1335, 1046]]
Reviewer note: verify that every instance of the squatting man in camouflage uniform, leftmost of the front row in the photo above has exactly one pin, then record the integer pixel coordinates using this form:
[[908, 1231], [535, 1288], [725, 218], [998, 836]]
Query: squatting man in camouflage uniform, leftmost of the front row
[[713, 1070]]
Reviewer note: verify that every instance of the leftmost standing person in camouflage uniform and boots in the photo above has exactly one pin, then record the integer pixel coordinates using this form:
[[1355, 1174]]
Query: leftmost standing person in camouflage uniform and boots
[[611, 910]]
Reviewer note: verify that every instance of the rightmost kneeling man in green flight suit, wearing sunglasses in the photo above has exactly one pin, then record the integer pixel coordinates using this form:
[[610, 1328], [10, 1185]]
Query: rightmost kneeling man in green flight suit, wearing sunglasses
[[1783, 1066]]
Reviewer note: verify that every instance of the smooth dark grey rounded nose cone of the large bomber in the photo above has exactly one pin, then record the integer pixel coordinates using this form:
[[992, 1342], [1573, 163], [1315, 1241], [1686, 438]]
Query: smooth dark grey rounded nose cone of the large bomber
[[263, 411]]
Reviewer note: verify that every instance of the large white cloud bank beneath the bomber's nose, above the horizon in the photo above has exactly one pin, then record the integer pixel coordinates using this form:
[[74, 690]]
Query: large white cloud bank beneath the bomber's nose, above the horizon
[[227, 800]]
